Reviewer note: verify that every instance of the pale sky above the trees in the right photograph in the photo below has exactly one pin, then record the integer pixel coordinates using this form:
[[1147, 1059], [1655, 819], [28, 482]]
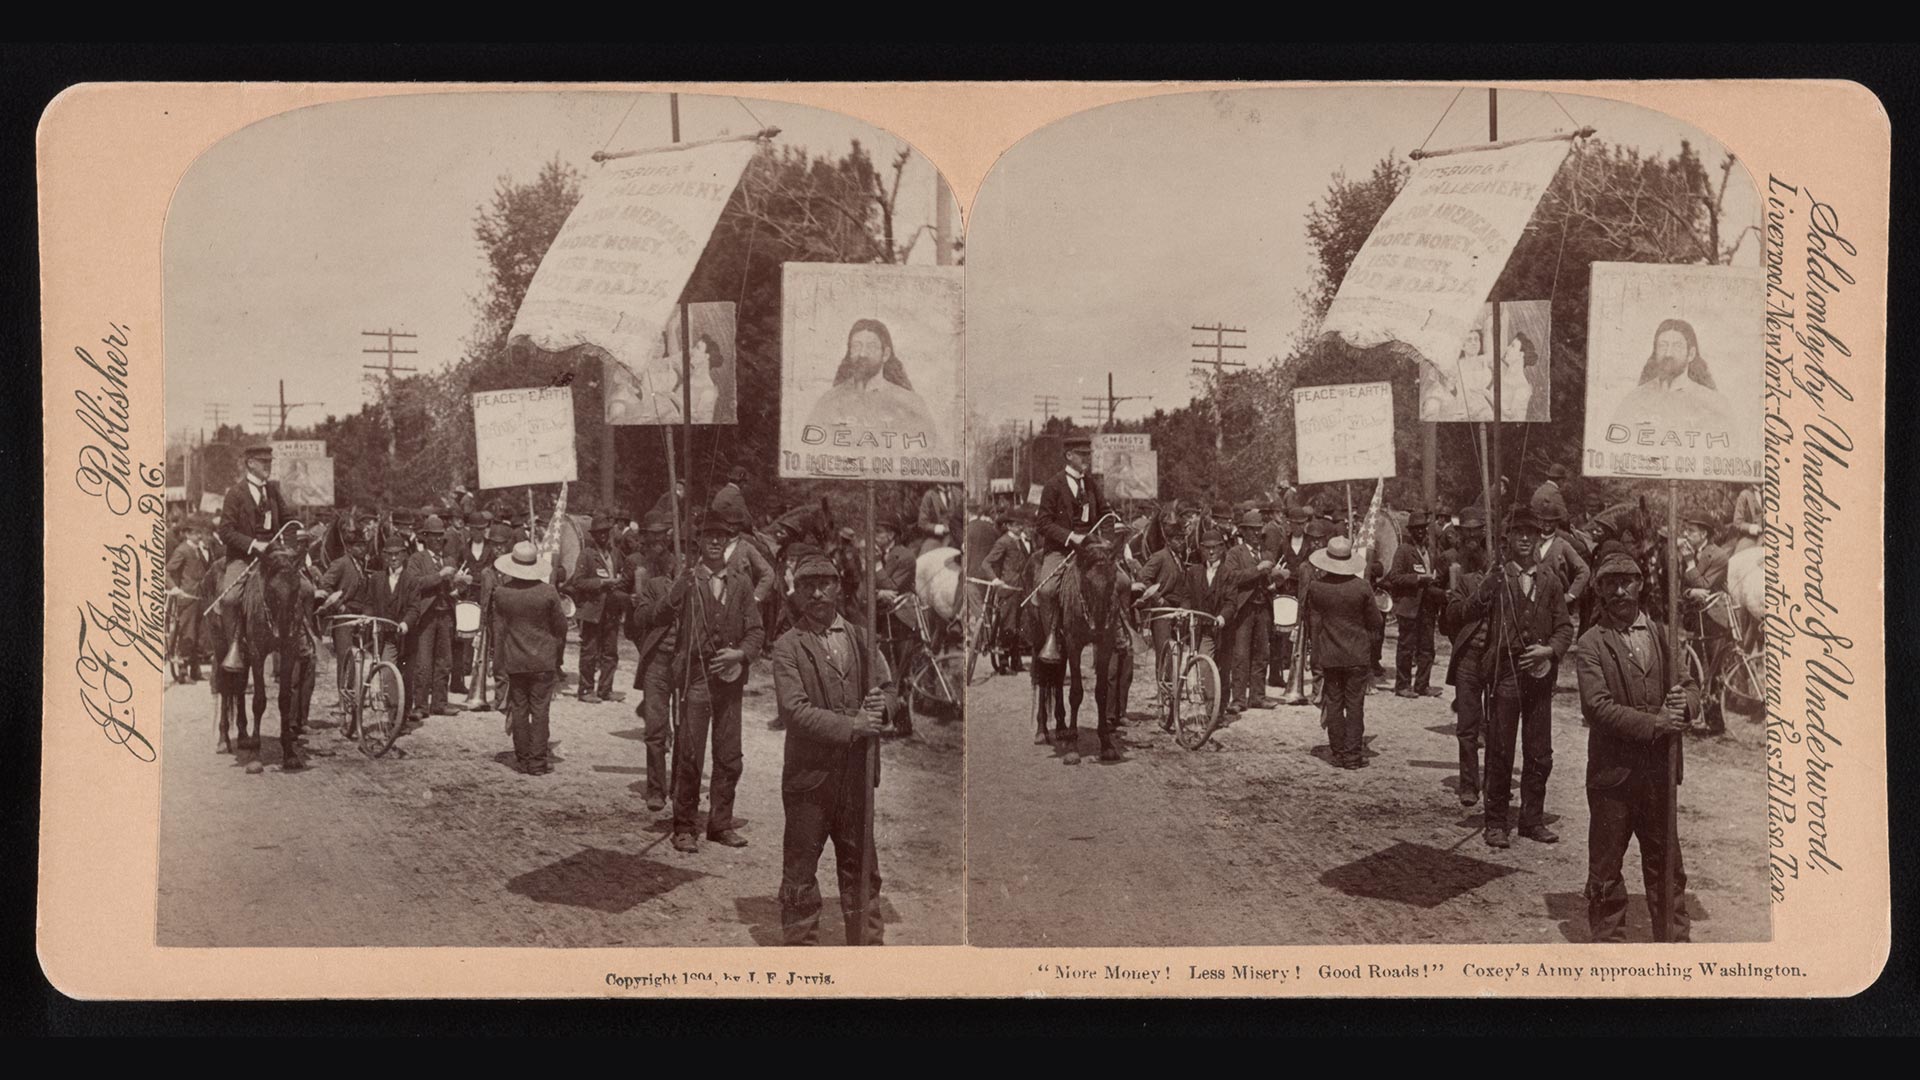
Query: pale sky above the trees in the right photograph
[[1101, 239]]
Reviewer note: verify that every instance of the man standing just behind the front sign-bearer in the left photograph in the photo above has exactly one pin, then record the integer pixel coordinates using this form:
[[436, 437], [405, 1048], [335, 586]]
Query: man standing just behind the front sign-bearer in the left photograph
[[721, 635]]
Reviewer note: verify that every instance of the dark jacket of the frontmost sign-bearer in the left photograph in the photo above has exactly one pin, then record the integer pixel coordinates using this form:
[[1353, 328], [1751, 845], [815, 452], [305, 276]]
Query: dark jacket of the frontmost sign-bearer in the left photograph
[[819, 704]]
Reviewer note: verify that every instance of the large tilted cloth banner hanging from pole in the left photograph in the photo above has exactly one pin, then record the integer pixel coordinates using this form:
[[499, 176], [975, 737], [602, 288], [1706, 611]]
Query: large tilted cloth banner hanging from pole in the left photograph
[[617, 266]]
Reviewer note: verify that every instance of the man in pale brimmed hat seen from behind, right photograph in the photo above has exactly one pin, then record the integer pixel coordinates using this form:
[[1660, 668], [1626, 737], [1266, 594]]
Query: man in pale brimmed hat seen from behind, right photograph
[[1343, 622]]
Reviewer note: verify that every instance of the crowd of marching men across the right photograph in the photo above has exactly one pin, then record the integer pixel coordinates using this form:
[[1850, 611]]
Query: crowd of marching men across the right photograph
[[1591, 589]]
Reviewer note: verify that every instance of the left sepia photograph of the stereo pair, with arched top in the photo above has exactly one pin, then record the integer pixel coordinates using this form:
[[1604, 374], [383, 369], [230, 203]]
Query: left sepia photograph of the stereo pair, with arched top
[[512, 601]]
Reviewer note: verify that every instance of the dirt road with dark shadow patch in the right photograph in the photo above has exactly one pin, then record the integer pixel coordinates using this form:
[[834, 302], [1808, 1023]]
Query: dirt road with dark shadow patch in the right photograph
[[1260, 841]]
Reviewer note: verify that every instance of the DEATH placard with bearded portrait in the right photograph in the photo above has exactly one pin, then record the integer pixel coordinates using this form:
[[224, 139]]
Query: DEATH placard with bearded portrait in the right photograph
[[1671, 383]]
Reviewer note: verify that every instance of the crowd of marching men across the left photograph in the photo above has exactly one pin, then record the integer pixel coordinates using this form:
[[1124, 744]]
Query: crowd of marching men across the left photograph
[[479, 606]]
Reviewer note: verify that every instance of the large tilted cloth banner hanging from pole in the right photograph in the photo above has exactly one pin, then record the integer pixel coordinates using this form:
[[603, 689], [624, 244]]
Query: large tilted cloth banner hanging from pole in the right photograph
[[1429, 264]]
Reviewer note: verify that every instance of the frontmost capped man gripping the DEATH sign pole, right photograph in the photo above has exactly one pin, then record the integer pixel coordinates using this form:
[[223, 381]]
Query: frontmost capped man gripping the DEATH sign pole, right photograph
[[1637, 704]]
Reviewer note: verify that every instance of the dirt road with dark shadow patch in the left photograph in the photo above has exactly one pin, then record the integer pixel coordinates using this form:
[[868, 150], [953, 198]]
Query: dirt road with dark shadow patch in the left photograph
[[446, 845]]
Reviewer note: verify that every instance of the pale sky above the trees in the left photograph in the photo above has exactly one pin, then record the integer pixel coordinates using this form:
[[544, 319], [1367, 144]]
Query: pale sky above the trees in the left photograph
[[291, 237]]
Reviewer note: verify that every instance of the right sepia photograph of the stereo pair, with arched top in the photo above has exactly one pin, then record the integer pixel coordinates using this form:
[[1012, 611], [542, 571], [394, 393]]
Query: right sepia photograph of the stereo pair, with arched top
[[1364, 533]]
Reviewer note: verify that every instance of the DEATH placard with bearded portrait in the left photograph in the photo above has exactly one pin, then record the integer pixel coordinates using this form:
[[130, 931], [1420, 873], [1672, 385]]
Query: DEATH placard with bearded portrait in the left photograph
[[871, 372]]
